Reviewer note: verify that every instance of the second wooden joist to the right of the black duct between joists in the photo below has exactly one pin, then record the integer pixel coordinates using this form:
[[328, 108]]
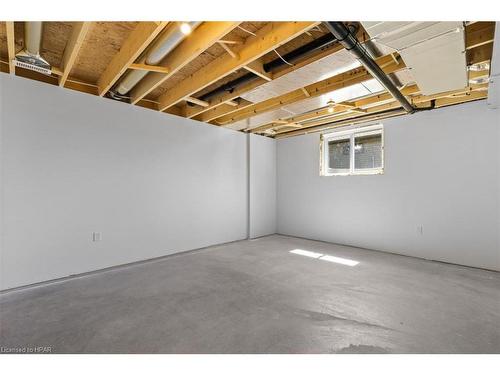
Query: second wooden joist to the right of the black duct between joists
[[349, 78]]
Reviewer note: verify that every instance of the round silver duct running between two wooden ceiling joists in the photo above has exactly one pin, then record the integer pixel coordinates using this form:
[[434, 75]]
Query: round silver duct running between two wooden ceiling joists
[[160, 49]]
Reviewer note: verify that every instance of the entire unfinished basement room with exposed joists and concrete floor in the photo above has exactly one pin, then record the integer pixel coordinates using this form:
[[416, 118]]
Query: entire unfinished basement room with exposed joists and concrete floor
[[250, 187]]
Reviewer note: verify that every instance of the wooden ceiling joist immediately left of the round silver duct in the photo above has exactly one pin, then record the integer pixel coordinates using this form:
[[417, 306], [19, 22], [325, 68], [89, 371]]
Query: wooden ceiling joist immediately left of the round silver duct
[[139, 39]]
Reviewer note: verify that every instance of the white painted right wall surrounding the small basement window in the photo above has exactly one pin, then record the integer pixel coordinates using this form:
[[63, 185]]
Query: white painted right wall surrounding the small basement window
[[442, 171]]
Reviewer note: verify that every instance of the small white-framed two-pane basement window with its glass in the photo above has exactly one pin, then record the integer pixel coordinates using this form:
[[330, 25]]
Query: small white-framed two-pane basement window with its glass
[[353, 152]]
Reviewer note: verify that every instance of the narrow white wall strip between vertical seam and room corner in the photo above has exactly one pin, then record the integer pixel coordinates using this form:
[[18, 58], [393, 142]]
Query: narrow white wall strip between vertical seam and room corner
[[262, 188]]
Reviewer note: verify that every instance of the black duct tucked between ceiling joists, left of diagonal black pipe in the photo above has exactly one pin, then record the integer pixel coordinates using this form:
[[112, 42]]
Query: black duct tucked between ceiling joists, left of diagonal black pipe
[[290, 57]]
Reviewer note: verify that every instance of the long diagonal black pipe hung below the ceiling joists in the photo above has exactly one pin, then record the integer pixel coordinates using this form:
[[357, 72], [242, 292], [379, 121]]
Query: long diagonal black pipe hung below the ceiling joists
[[351, 43]]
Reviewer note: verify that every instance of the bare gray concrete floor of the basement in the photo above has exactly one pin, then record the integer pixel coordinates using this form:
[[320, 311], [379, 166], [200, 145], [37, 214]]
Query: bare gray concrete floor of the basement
[[257, 297]]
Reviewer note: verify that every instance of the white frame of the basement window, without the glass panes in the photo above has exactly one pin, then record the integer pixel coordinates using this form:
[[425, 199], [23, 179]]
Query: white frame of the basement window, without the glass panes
[[350, 135]]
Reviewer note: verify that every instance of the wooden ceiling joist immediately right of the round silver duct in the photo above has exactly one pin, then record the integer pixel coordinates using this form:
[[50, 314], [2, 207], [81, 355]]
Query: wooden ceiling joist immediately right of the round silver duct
[[194, 45]]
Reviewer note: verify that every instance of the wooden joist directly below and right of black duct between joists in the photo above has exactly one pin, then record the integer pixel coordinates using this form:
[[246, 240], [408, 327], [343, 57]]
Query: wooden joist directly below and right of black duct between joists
[[315, 56]]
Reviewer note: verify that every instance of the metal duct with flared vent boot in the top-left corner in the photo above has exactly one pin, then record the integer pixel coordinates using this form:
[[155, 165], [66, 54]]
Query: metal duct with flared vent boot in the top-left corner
[[29, 57]]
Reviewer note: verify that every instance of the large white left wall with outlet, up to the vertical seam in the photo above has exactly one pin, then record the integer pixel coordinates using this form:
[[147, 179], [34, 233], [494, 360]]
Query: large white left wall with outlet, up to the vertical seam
[[153, 184]]
